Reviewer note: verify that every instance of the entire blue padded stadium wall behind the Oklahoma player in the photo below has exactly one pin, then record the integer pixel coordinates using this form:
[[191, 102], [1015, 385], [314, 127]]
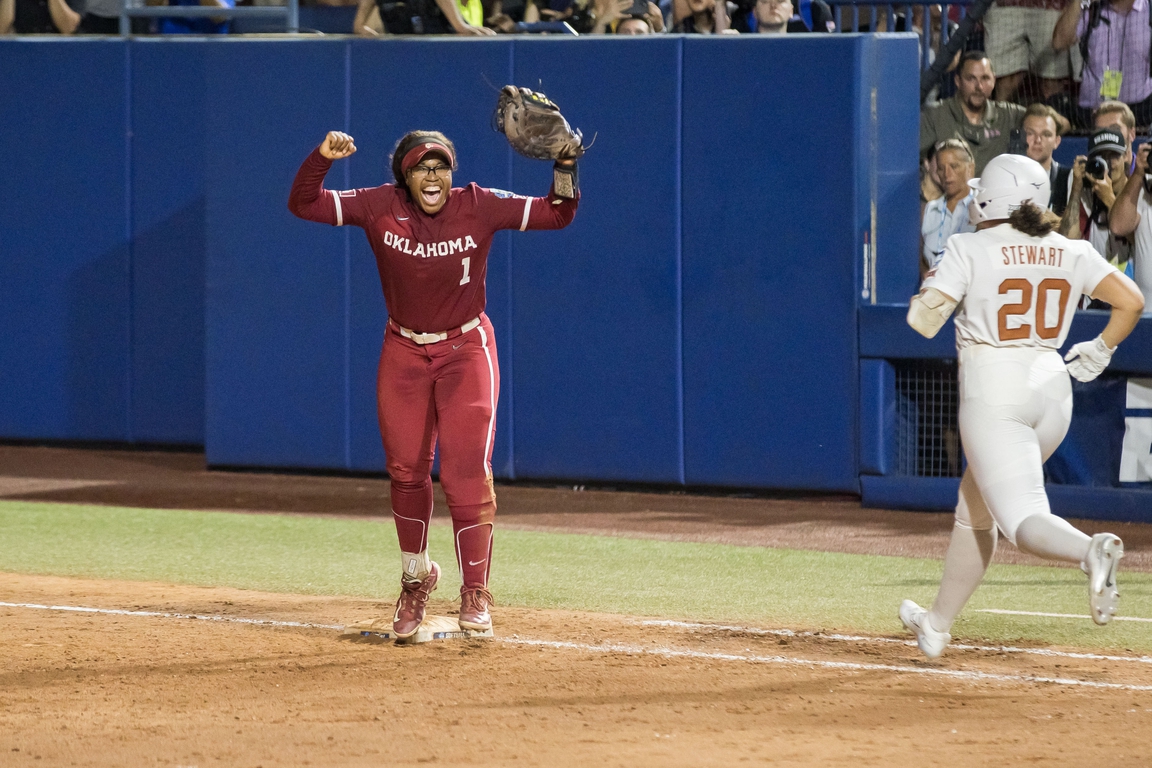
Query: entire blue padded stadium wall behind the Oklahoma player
[[696, 325]]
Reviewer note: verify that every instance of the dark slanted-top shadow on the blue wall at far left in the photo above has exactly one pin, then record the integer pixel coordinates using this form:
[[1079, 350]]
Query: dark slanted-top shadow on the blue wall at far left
[[137, 338]]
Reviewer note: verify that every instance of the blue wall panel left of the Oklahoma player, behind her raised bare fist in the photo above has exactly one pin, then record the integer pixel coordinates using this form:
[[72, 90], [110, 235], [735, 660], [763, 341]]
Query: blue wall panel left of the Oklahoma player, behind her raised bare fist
[[276, 343]]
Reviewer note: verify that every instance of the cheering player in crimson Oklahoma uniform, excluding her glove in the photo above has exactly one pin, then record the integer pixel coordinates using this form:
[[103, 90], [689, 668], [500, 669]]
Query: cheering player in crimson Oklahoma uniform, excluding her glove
[[438, 379]]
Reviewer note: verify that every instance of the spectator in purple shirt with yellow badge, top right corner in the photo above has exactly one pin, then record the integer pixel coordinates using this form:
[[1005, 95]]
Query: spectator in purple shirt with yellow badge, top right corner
[[1115, 40]]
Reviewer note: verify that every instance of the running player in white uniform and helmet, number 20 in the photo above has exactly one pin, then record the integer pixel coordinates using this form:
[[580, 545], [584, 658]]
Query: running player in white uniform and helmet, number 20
[[1018, 285]]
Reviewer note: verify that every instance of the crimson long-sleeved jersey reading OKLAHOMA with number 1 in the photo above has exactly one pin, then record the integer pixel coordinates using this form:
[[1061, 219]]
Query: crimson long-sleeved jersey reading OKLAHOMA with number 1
[[433, 268]]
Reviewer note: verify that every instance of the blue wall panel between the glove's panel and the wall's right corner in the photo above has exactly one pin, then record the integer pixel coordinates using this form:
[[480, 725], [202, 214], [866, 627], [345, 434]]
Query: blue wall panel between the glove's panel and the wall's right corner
[[770, 307]]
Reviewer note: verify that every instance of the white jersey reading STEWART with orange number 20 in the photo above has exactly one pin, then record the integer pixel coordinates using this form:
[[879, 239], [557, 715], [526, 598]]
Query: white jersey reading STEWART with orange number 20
[[1017, 291]]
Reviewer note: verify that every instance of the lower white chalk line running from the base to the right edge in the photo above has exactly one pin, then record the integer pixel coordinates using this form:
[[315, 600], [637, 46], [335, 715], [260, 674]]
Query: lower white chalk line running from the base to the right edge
[[673, 653]]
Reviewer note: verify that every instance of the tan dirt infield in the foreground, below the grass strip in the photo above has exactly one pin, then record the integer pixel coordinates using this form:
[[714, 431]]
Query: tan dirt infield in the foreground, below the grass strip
[[124, 690]]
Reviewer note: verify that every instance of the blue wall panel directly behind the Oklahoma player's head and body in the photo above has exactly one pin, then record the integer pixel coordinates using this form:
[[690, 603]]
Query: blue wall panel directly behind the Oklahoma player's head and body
[[444, 89]]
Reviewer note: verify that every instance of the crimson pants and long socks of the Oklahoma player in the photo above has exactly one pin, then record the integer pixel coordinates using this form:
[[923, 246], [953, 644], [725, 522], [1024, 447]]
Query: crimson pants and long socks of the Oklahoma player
[[443, 393]]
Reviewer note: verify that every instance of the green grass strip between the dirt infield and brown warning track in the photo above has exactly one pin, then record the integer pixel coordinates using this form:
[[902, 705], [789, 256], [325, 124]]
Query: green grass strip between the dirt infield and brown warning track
[[699, 582]]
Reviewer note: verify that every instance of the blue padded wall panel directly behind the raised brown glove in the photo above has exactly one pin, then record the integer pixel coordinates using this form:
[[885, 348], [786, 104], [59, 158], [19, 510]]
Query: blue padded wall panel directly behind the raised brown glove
[[596, 307]]
